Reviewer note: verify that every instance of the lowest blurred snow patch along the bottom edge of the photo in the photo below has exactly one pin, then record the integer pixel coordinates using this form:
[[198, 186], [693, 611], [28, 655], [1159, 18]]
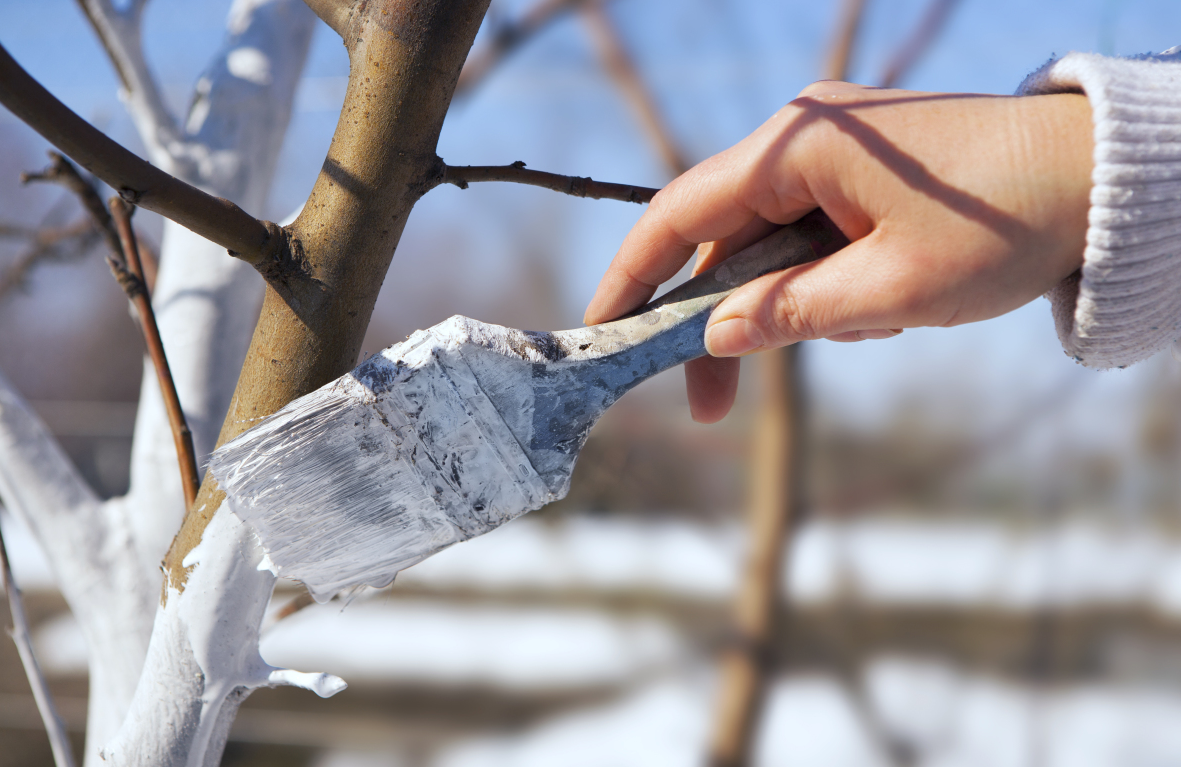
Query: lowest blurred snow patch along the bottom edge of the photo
[[812, 721]]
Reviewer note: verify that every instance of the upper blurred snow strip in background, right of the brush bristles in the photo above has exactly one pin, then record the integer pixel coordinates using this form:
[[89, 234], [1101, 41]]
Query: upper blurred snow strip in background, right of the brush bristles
[[888, 560]]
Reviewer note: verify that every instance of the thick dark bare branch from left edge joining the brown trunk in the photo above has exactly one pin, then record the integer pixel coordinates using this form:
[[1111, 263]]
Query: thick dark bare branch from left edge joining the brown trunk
[[136, 181]]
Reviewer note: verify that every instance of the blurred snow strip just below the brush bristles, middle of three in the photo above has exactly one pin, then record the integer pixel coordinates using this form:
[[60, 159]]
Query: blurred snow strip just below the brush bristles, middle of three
[[507, 647]]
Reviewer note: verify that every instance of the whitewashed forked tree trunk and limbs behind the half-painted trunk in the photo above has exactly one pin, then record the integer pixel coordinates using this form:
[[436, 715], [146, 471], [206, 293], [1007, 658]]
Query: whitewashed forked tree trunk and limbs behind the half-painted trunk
[[107, 556]]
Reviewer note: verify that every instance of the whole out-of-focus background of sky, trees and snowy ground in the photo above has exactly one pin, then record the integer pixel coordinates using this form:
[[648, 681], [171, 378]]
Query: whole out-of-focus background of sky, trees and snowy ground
[[983, 558]]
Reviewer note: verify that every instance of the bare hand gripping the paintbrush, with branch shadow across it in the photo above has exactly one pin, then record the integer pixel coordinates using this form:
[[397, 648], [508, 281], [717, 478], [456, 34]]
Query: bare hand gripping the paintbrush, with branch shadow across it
[[960, 209]]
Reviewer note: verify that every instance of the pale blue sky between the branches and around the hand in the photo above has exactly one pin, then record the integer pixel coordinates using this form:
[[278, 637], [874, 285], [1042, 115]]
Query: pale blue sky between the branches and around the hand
[[719, 68]]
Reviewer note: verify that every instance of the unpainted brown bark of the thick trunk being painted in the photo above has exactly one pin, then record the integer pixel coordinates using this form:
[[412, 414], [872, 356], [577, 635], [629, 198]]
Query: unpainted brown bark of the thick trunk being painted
[[406, 58]]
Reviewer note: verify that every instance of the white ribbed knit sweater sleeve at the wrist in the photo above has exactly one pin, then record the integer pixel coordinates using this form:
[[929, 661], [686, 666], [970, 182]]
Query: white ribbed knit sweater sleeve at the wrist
[[1125, 305]]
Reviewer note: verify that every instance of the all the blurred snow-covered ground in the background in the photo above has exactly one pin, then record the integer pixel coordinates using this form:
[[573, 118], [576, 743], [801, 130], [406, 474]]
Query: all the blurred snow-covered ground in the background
[[948, 717]]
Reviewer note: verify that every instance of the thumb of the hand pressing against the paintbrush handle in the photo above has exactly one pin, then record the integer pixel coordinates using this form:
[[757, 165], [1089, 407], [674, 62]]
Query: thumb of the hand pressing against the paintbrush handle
[[860, 288]]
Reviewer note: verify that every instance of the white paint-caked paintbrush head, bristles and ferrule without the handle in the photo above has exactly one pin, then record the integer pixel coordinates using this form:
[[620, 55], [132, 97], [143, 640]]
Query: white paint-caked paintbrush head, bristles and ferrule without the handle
[[379, 470]]
